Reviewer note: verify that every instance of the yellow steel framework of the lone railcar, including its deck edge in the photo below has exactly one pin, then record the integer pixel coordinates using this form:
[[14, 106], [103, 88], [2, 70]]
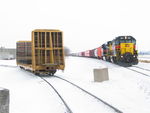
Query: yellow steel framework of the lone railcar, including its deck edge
[[34, 67]]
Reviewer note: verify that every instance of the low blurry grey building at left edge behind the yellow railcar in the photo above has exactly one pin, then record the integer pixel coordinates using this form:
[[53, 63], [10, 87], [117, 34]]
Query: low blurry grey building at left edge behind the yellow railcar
[[7, 53]]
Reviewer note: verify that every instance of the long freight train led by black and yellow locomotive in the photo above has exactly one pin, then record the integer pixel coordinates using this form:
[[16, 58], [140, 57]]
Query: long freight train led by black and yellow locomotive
[[121, 50]]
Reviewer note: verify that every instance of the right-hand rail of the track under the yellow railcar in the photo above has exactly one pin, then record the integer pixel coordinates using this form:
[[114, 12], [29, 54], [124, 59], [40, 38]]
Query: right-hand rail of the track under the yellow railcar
[[97, 98]]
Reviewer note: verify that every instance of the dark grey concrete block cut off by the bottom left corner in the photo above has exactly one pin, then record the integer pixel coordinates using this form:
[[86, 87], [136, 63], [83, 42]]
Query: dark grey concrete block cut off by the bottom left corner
[[4, 100]]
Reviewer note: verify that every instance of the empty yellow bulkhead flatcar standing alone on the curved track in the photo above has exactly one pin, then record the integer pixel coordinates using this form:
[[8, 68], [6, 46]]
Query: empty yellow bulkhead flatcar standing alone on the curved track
[[44, 54]]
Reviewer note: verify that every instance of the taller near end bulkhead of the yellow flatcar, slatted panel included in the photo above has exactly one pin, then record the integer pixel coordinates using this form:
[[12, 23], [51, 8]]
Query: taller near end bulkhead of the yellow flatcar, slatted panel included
[[47, 50]]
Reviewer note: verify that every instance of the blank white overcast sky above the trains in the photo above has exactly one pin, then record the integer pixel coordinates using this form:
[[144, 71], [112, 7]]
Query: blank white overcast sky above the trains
[[86, 24]]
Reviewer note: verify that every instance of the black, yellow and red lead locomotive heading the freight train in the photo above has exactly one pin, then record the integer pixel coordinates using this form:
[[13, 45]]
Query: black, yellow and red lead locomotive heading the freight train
[[125, 49]]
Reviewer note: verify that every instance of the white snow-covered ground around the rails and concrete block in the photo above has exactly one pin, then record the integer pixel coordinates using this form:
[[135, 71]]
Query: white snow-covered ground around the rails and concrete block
[[126, 90]]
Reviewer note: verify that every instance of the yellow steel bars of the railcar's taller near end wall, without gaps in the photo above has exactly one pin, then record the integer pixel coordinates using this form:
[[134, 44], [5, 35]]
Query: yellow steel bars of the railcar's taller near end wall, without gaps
[[51, 48]]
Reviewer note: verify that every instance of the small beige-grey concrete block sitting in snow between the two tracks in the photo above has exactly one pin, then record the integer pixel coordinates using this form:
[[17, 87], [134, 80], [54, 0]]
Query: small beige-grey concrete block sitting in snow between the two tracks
[[101, 75]]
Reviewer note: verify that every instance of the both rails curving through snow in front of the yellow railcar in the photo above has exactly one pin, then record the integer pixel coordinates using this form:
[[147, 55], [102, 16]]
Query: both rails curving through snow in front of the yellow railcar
[[83, 90]]
